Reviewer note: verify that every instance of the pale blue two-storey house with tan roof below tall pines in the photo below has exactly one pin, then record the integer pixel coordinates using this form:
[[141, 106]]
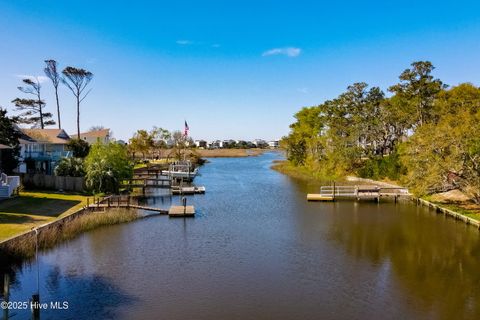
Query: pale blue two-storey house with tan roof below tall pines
[[41, 149]]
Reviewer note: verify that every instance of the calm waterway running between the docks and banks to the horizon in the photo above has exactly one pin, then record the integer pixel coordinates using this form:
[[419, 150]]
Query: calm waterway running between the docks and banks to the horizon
[[258, 250]]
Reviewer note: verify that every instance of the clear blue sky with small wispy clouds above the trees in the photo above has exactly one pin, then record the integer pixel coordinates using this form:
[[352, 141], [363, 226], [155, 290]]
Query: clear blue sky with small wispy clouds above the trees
[[232, 69]]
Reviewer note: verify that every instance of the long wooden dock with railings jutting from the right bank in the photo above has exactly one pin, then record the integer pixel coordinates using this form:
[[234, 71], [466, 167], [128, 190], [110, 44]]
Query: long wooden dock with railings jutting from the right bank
[[358, 192]]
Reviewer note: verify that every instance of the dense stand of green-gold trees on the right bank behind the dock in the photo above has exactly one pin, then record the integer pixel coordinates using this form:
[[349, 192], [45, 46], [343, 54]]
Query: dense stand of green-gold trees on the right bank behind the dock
[[425, 135]]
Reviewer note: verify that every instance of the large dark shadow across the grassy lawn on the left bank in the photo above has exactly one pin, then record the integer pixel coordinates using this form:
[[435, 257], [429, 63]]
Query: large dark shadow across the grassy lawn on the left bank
[[37, 206]]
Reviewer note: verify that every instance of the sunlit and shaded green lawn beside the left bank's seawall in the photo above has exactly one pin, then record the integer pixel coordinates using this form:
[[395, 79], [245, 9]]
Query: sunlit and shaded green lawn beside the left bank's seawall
[[30, 209]]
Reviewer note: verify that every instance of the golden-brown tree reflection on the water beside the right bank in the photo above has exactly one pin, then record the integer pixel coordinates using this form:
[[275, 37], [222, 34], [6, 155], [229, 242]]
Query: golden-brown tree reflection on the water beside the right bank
[[433, 259]]
